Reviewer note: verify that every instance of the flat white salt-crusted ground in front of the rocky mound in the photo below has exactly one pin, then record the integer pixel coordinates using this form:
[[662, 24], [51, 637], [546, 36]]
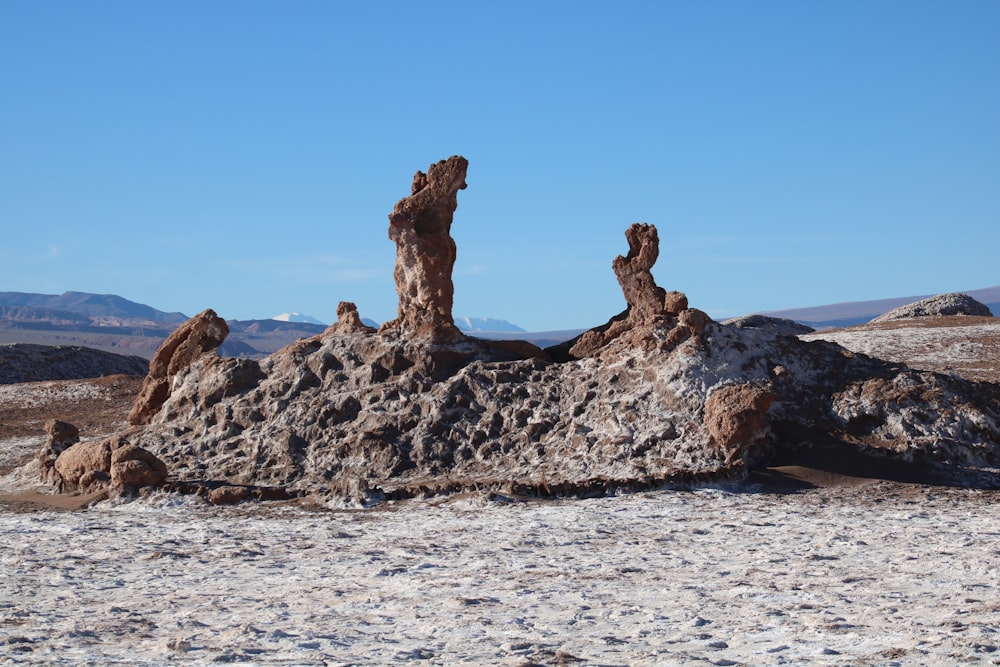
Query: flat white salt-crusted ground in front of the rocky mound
[[873, 574]]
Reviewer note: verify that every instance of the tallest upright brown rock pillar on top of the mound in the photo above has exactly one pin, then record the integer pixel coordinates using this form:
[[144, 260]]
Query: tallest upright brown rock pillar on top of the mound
[[420, 225]]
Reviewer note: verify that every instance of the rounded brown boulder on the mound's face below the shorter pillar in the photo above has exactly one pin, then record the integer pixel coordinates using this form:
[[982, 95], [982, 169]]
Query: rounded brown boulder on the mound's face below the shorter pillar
[[736, 418]]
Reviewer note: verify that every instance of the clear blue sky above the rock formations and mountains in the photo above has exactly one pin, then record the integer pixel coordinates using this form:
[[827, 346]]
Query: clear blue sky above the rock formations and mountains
[[245, 155]]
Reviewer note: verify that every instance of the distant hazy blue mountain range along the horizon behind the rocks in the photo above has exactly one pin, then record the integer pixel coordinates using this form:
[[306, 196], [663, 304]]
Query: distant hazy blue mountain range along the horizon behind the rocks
[[115, 324]]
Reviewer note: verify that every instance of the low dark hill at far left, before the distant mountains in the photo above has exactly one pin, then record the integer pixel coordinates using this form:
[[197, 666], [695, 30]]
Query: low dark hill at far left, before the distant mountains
[[23, 362]]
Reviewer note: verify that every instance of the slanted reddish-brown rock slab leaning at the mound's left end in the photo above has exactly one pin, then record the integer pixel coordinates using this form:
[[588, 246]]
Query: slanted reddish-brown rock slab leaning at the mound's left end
[[201, 334]]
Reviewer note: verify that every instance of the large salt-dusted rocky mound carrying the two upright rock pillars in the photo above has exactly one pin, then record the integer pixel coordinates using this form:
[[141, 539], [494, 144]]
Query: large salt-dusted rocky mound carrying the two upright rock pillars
[[661, 393]]
